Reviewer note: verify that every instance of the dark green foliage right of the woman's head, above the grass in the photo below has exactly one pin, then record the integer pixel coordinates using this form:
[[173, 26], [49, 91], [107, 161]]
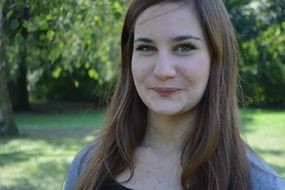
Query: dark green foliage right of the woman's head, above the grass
[[260, 25]]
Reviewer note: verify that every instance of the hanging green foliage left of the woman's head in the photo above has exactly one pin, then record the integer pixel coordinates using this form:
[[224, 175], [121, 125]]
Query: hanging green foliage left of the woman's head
[[74, 41]]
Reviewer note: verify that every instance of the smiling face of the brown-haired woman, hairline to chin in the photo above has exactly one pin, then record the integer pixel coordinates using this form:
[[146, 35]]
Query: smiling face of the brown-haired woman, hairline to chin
[[171, 60]]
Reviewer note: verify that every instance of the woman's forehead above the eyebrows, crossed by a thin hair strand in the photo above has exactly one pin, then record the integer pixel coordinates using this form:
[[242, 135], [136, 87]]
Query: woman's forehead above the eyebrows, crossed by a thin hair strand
[[168, 19]]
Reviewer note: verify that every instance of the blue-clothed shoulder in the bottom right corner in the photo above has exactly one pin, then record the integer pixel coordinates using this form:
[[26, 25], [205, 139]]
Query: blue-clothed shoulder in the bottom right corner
[[263, 177]]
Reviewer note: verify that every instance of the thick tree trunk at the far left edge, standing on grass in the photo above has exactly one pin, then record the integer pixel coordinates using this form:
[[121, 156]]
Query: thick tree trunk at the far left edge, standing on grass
[[7, 124]]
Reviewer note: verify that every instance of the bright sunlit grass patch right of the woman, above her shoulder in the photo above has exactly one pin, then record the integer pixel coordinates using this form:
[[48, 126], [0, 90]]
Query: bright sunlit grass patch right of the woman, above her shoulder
[[265, 133]]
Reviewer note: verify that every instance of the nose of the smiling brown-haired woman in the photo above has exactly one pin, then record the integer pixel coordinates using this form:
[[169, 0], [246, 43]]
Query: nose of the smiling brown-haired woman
[[164, 68]]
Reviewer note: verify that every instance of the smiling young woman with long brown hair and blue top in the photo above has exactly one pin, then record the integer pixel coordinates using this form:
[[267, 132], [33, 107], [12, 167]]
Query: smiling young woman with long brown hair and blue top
[[173, 123]]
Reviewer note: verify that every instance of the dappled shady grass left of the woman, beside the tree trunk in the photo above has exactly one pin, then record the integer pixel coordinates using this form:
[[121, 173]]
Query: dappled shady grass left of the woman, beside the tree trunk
[[40, 156]]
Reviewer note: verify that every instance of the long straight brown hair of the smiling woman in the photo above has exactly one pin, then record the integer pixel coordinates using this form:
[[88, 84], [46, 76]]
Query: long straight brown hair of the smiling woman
[[214, 155]]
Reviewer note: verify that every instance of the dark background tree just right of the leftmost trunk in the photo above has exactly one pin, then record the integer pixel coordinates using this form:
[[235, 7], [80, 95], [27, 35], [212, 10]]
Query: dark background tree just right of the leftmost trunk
[[16, 34]]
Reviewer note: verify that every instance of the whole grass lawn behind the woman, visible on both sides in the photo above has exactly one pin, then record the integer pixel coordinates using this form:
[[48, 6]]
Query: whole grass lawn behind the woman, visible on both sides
[[39, 157]]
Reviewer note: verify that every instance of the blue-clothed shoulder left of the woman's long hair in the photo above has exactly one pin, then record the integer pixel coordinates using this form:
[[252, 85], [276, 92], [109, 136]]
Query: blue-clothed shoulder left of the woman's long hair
[[78, 165]]
